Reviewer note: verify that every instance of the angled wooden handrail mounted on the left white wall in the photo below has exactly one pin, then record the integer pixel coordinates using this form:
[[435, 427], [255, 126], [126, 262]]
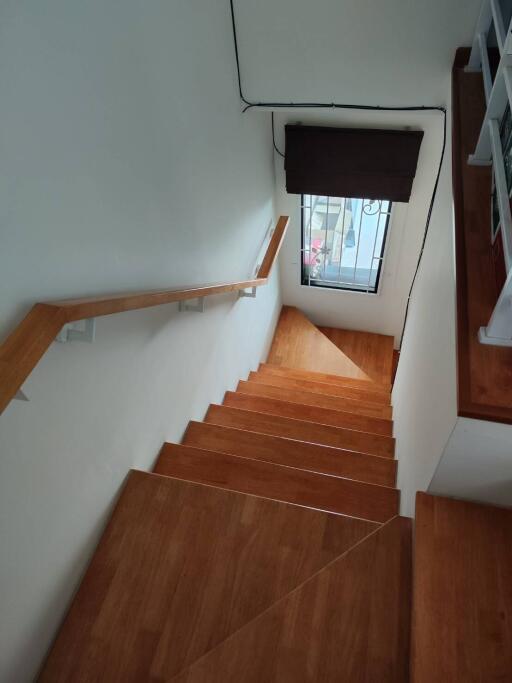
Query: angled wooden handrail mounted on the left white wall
[[26, 345]]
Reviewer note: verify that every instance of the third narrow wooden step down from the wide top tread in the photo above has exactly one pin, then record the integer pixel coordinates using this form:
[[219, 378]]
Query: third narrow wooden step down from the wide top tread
[[301, 430]]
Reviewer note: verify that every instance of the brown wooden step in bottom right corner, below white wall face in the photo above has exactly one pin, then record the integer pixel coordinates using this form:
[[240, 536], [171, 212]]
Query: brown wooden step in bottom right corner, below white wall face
[[462, 592]]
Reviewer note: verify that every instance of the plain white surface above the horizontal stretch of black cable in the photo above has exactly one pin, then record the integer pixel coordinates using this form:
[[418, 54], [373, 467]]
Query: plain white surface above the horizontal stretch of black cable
[[394, 52]]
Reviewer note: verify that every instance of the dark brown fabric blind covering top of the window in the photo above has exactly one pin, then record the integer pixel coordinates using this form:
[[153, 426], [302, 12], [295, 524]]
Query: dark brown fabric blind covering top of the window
[[351, 162]]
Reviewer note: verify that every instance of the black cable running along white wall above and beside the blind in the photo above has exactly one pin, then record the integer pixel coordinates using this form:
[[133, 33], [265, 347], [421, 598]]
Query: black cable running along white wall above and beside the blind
[[361, 107]]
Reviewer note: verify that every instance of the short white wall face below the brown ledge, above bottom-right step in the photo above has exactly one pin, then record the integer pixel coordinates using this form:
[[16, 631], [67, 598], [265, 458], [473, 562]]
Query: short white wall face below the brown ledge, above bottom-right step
[[477, 463]]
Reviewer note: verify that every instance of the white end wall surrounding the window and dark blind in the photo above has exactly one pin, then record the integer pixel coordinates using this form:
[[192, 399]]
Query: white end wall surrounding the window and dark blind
[[382, 313]]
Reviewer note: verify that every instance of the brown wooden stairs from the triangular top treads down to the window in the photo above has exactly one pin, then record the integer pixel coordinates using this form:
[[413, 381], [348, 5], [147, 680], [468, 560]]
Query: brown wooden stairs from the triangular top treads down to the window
[[267, 546]]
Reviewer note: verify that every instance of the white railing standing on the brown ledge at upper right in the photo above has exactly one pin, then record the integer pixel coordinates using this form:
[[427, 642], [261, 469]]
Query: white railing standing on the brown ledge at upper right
[[488, 150]]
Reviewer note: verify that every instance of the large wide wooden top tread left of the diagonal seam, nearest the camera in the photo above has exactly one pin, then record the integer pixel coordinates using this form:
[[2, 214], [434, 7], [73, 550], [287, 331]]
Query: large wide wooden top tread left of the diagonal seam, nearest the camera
[[179, 568]]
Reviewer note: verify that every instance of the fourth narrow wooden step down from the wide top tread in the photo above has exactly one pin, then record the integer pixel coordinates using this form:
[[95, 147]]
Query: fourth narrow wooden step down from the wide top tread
[[300, 411]]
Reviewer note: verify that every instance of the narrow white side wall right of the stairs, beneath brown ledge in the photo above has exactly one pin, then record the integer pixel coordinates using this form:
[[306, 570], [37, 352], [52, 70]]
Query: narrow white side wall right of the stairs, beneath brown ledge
[[424, 394]]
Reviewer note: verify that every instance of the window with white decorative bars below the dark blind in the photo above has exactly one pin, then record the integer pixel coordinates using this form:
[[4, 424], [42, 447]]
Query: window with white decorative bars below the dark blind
[[343, 242]]
